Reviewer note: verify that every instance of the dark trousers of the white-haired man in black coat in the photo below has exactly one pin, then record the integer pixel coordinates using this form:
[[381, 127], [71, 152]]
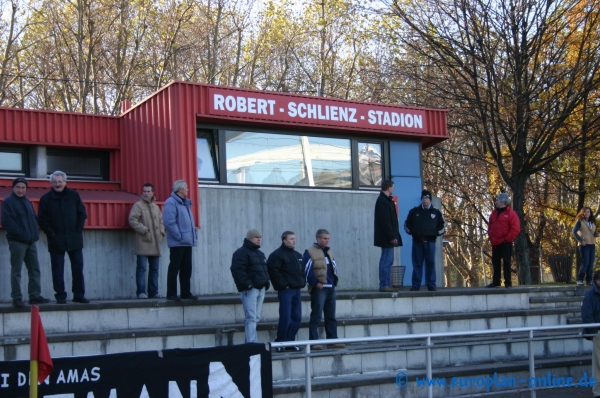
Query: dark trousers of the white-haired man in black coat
[[57, 260]]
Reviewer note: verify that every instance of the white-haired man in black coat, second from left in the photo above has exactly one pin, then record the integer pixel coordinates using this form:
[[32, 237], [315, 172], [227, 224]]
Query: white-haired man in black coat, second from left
[[61, 217]]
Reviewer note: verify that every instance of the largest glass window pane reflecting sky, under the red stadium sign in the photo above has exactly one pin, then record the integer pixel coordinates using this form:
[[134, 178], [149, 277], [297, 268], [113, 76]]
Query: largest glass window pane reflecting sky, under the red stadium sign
[[277, 159]]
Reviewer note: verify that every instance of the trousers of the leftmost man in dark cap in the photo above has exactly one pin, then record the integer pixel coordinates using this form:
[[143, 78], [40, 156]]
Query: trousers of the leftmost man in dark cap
[[19, 253]]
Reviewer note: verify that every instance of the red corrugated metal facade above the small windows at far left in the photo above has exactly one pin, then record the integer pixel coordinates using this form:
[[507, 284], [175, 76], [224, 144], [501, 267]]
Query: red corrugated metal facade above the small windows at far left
[[31, 127]]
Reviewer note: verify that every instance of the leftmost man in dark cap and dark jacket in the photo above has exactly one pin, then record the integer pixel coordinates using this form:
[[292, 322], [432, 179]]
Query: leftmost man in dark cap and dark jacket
[[20, 222]]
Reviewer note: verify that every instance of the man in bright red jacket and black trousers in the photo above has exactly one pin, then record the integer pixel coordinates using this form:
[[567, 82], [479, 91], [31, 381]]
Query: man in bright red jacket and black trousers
[[503, 228]]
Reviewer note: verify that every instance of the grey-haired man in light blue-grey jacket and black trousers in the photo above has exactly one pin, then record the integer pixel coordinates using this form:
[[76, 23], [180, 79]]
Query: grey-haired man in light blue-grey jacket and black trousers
[[181, 237]]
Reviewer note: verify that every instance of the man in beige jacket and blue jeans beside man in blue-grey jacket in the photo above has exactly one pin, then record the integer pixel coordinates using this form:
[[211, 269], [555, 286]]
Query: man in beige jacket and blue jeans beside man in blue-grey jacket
[[146, 220]]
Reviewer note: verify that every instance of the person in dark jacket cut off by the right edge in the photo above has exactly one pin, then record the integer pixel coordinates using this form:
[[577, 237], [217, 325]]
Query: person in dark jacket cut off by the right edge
[[590, 313]]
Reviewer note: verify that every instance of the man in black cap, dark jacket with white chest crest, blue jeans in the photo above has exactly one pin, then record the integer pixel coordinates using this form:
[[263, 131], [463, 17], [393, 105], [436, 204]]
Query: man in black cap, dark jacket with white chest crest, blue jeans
[[425, 223]]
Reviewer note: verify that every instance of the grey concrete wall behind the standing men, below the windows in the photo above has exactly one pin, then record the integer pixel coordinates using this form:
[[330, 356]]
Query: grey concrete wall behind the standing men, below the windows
[[226, 214]]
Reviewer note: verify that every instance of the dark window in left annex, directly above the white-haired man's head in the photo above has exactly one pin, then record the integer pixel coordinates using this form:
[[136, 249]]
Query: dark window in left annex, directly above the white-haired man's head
[[79, 165]]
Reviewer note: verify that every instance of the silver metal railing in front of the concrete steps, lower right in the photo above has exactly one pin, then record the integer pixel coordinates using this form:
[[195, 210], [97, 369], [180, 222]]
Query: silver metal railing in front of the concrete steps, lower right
[[429, 346]]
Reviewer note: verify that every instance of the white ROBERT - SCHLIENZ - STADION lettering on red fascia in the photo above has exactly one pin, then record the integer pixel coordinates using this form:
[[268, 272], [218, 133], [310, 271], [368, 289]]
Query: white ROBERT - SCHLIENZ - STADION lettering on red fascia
[[285, 108]]
